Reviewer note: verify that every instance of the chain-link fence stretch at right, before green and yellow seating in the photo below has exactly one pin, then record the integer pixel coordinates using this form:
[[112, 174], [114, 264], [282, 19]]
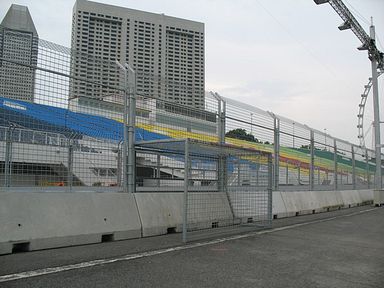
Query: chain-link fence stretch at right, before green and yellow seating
[[304, 158]]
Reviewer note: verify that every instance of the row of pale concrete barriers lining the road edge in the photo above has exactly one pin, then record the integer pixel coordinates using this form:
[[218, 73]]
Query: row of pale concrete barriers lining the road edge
[[47, 220]]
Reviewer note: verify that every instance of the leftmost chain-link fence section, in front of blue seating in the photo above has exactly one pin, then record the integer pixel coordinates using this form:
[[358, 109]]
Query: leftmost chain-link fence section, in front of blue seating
[[51, 142]]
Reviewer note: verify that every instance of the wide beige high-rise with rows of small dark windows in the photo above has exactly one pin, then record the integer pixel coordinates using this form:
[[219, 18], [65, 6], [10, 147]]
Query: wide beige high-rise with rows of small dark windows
[[167, 53]]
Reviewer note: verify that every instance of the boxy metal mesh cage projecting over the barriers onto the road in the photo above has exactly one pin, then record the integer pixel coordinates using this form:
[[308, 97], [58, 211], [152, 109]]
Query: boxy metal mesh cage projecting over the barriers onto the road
[[223, 186]]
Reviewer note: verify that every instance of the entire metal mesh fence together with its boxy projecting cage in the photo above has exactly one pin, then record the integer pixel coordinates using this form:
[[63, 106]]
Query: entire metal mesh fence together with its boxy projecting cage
[[97, 125]]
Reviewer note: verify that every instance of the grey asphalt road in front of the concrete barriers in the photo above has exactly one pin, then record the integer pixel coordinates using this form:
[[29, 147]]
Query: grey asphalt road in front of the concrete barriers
[[339, 249]]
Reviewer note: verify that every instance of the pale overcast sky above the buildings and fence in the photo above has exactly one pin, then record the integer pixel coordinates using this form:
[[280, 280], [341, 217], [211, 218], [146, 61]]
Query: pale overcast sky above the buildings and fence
[[283, 56]]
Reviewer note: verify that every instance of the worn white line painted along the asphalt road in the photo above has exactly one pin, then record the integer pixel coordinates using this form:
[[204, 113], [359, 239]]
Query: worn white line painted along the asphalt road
[[46, 271]]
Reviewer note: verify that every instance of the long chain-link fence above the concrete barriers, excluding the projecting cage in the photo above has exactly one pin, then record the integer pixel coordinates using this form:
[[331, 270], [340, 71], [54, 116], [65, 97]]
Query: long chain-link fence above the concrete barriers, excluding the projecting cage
[[69, 134]]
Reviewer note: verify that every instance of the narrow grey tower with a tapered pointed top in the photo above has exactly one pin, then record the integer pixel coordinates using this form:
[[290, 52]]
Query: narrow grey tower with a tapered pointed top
[[18, 43]]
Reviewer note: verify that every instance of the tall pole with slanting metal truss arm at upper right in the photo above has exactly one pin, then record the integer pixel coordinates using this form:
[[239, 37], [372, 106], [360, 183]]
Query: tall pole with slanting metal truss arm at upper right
[[377, 63]]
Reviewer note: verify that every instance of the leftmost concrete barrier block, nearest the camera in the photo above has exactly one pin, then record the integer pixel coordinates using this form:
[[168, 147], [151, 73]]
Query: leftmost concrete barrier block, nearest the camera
[[33, 221]]
